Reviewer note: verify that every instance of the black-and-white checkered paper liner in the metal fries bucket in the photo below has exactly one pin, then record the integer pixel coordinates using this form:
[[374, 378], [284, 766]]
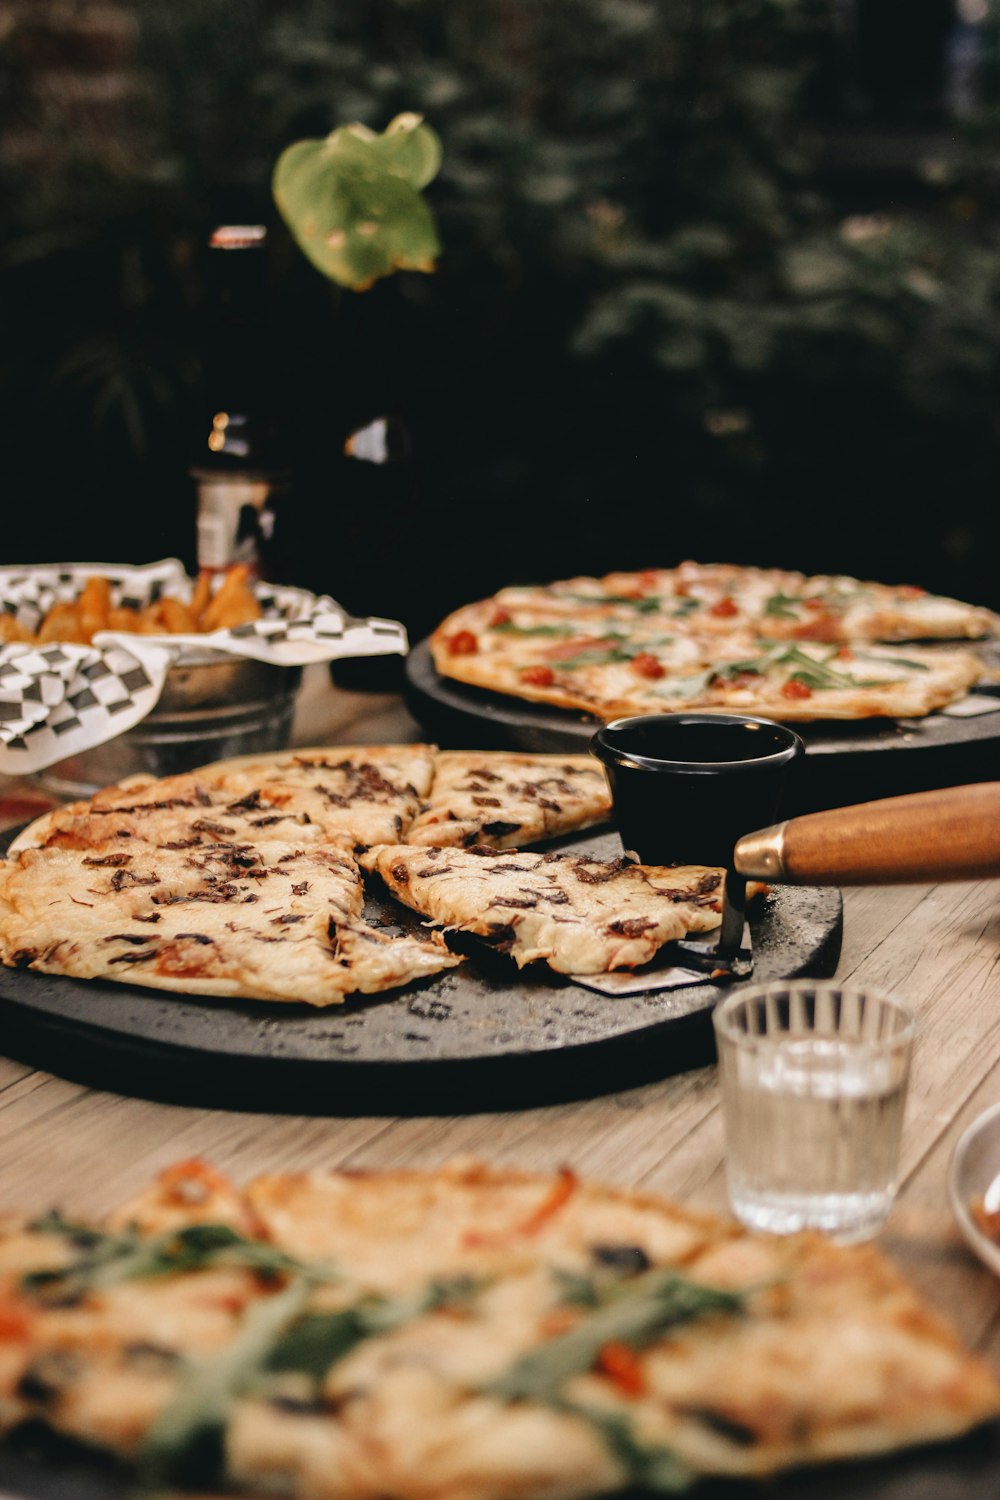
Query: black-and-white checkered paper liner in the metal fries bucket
[[59, 698]]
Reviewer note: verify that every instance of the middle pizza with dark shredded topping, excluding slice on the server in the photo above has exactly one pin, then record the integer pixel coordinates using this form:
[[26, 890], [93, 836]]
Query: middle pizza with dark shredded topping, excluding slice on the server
[[242, 880]]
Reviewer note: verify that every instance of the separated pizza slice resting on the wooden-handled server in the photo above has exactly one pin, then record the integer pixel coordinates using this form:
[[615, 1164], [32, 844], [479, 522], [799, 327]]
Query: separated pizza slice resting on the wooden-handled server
[[582, 916]]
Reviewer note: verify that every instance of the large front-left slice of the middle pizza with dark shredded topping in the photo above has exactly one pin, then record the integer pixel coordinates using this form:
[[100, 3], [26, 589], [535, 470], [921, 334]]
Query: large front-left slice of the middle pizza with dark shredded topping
[[271, 922]]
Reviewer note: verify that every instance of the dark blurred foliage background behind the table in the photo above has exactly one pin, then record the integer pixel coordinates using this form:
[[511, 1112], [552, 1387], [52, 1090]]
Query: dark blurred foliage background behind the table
[[720, 280]]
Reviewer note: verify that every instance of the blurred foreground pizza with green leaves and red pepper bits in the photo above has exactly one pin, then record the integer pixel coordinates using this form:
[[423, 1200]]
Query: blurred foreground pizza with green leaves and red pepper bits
[[469, 1334]]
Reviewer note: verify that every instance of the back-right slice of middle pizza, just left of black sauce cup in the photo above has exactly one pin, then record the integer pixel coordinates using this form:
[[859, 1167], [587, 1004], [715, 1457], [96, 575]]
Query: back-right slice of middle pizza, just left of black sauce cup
[[504, 799]]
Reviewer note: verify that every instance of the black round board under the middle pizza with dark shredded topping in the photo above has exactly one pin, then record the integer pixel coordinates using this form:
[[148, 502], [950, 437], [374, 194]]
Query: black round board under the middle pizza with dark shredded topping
[[481, 1037]]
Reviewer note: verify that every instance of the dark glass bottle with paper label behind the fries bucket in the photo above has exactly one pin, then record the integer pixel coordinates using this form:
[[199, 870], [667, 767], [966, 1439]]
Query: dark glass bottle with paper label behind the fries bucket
[[241, 469]]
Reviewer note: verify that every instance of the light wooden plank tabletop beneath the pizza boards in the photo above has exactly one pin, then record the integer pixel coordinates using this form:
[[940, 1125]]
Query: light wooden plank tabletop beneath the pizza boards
[[936, 946]]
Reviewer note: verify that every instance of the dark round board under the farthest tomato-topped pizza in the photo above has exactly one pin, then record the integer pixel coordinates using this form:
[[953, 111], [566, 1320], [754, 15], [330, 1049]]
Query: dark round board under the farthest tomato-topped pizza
[[845, 763]]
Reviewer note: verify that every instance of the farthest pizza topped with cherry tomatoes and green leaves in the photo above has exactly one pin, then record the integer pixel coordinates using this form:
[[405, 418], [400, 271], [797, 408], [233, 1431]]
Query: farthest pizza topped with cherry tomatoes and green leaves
[[719, 637]]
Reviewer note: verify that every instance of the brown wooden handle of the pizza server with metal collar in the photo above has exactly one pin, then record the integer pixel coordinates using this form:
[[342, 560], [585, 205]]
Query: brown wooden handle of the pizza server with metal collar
[[951, 835]]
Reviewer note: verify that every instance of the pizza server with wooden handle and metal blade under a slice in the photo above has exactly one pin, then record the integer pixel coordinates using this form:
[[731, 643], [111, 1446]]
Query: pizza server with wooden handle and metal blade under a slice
[[950, 835]]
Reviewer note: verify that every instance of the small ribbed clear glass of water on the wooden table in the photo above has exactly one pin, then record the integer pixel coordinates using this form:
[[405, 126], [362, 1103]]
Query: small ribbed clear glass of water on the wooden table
[[815, 1081]]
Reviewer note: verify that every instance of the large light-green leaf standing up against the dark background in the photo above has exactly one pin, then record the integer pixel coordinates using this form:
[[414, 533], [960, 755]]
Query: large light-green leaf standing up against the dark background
[[353, 200]]
